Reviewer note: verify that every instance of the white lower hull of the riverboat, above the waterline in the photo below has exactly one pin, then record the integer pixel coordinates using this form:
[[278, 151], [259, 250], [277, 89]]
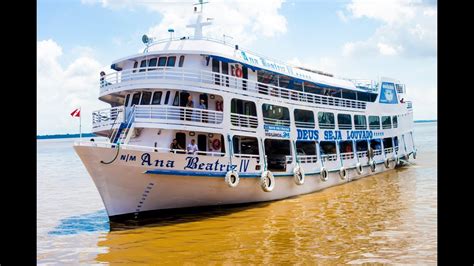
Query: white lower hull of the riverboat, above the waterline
[[128, 190]]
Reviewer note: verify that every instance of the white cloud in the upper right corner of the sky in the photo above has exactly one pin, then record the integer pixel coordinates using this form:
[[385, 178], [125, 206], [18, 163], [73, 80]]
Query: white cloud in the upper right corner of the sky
[[408, 28]]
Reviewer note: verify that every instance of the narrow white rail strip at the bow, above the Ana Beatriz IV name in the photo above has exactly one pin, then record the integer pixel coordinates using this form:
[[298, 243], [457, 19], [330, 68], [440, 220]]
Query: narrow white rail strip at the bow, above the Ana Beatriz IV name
[[145, 148]]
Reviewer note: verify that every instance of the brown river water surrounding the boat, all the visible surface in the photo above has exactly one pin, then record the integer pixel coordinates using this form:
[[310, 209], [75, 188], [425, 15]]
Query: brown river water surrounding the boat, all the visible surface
[[390, 218]]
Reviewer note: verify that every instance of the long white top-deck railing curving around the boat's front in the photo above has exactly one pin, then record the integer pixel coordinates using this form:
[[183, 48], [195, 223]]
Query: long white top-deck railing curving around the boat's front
[[227, 83]]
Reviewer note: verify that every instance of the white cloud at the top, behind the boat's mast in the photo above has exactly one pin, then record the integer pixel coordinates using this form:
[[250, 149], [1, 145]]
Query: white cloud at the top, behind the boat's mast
[[243, 20]]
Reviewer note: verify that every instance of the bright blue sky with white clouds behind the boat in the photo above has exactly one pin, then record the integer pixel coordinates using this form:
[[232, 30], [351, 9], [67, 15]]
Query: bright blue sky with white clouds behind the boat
[[76, 39]]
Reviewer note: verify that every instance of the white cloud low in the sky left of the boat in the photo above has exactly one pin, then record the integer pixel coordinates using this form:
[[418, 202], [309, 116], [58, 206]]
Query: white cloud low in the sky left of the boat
[[62, 89]]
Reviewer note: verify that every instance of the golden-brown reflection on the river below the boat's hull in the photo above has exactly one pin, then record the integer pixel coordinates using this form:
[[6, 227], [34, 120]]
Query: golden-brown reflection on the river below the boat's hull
[[363, 221]]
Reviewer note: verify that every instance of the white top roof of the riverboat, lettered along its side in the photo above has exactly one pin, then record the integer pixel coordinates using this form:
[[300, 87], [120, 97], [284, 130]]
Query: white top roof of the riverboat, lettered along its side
[[233, 54]]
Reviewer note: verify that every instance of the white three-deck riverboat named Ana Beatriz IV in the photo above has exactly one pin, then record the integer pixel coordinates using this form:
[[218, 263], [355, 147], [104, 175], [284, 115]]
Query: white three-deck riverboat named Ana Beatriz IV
[[263, 129]]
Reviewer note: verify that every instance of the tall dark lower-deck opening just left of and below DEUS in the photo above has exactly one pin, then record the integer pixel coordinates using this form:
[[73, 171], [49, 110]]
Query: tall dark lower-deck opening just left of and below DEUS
[[277, 151]]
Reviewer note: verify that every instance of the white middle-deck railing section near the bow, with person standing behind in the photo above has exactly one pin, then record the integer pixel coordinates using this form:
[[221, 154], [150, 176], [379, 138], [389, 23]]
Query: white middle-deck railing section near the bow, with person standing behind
[[178, 113]]
